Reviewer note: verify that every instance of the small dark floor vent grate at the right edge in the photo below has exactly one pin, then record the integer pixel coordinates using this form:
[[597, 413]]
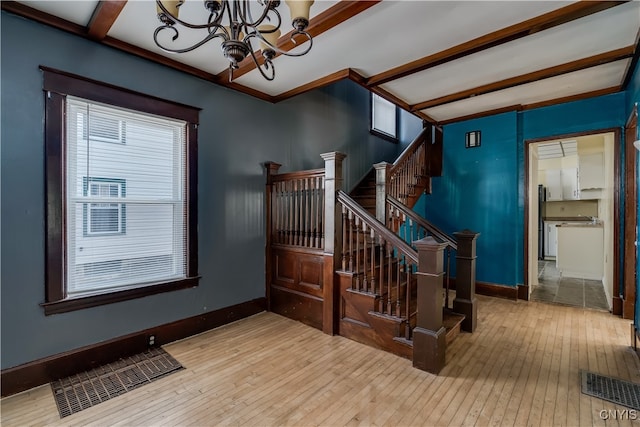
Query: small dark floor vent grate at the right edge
[[614, 390]]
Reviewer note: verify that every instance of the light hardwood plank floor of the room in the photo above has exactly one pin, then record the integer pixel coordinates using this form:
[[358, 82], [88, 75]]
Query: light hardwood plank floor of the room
[[519, 368]]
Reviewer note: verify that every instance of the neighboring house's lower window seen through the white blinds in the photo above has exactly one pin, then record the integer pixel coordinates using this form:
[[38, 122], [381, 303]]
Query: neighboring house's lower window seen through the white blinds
[[103, 218]]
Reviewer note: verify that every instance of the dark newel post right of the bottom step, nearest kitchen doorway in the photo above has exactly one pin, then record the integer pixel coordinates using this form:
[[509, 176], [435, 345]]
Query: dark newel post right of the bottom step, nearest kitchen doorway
[[465, 302]]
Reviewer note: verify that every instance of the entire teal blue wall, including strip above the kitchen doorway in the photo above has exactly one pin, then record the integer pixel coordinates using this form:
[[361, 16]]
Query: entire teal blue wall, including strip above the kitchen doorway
[[483, 188]]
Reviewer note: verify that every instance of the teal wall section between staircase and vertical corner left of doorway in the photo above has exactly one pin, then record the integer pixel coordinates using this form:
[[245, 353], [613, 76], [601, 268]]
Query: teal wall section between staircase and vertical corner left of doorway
[[478, 190]]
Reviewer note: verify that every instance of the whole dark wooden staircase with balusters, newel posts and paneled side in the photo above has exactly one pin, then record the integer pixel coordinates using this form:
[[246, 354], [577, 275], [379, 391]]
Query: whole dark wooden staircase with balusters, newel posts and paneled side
[[364, 265]]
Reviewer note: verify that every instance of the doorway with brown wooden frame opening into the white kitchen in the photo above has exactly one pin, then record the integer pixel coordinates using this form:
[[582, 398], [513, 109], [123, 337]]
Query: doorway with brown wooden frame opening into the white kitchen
[[571, 219]]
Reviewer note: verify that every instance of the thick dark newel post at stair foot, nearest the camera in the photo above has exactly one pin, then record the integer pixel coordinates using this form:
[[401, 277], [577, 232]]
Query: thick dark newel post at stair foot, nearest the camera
[[429, 335]]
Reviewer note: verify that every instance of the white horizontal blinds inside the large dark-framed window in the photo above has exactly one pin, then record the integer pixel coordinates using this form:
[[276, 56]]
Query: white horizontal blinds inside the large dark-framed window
[[126, 212]]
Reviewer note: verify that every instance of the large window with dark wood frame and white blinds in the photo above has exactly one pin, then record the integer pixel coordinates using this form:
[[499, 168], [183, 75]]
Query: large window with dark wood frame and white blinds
[[121, 194]]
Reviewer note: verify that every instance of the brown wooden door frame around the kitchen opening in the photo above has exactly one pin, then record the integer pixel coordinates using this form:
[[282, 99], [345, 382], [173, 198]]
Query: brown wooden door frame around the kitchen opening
[[617, 300]]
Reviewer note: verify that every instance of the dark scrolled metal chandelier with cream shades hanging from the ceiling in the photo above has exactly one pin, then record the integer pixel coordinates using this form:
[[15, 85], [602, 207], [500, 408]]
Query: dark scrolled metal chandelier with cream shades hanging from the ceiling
[[232, 22]]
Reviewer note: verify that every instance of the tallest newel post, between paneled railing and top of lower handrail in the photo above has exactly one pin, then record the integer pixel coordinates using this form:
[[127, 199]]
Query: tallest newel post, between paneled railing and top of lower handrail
[[333, 182]]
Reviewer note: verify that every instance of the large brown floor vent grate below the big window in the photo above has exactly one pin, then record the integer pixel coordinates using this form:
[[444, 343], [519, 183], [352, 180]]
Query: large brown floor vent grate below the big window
[[81, 391]]
